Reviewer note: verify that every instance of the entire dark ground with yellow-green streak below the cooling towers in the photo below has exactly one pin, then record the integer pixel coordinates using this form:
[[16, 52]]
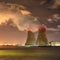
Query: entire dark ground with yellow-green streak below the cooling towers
[[30, 53]]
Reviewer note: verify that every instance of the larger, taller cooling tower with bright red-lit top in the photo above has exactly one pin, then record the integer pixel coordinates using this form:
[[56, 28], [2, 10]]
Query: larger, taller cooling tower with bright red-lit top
[[42, 39]]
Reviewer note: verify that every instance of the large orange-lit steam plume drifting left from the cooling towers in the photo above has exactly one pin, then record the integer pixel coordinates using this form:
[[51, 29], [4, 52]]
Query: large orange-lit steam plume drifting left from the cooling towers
[[22, 18]]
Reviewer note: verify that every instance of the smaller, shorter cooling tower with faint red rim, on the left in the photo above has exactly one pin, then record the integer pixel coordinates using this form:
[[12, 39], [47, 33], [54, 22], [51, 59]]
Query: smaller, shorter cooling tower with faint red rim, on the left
[[30, 39]]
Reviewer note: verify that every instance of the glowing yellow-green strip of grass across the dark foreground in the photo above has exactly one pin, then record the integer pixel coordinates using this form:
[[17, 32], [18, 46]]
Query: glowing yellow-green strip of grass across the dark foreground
[[25, 53]]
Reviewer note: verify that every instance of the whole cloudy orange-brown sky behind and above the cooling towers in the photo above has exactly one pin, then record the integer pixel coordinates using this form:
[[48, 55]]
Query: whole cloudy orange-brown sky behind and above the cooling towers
[[29, 14]]
